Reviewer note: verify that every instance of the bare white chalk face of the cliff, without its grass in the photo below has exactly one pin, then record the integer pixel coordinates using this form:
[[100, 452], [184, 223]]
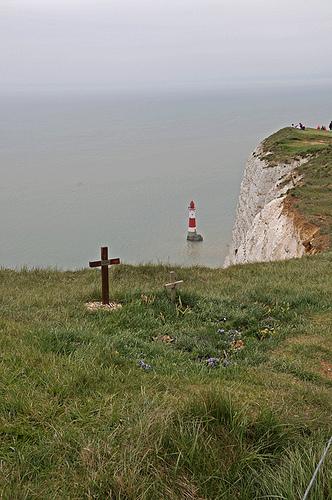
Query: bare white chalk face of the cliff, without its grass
[[263, 229]]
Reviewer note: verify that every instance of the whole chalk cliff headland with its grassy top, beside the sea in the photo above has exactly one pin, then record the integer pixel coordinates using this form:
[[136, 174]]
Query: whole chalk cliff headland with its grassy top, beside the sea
[[285, 202]]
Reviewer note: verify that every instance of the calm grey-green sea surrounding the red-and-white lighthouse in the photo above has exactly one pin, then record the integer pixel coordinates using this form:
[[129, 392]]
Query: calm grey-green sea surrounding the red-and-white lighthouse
[[81, 171]]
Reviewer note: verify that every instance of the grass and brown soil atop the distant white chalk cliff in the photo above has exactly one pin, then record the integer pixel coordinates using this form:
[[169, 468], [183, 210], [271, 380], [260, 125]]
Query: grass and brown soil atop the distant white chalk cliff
[[313, 196]]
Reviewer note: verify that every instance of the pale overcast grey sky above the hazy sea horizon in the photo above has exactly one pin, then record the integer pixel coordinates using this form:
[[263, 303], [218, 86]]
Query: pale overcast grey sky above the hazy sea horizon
[[133, 44]]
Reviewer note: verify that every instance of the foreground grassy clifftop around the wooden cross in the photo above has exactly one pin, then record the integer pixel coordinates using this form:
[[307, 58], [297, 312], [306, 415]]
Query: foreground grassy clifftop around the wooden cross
[[79, 417]]
